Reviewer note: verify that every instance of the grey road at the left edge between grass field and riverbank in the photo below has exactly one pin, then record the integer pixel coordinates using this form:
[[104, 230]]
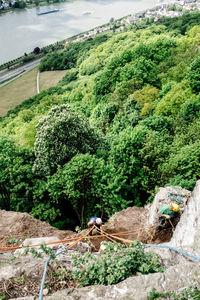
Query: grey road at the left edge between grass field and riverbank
[[9, 76]]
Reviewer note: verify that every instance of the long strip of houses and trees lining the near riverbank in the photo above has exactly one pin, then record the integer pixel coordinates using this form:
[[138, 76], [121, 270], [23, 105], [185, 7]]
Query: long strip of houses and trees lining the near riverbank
[[172, 9]]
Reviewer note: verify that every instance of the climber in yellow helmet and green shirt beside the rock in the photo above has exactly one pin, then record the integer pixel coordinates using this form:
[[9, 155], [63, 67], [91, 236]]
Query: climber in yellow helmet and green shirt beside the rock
[[169, 215]]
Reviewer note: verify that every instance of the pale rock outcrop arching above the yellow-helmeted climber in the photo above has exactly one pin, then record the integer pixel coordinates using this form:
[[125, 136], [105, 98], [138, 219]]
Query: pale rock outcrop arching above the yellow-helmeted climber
[[165, 196]]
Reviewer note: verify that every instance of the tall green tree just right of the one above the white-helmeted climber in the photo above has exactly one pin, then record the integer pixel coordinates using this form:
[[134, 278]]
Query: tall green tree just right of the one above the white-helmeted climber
[[128, 180]]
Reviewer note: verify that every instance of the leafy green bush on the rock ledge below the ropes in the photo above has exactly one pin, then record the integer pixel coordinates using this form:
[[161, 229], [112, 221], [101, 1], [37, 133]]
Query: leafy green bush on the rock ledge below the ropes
[[115, 265]]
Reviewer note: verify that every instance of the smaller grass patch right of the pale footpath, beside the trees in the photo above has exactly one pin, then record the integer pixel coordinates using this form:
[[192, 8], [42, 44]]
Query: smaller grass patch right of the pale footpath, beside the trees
[[50, 78]]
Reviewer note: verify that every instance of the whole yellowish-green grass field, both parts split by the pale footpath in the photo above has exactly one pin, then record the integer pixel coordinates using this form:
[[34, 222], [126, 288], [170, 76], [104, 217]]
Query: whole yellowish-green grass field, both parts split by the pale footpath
[[25, 86]]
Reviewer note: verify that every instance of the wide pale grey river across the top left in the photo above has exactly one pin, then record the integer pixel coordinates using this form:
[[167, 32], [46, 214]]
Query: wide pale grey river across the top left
[[23, 30]]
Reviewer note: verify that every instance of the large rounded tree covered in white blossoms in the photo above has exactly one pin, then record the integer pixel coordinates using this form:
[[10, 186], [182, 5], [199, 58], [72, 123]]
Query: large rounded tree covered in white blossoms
[[61, 135]]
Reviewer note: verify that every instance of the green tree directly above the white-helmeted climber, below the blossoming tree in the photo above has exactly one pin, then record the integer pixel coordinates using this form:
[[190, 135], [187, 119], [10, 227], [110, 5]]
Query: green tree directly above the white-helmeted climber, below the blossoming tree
[[80, 182]]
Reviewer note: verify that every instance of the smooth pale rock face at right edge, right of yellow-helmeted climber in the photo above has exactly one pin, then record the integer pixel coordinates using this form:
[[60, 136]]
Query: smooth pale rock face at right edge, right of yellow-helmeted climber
[[187, 231]]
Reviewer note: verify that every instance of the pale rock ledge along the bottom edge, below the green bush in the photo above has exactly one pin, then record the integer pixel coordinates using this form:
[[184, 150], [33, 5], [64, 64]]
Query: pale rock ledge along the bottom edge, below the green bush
[[137, 287]]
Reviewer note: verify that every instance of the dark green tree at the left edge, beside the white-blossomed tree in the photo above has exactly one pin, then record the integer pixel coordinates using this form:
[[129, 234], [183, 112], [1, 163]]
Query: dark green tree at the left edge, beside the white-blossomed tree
[[16, 177]]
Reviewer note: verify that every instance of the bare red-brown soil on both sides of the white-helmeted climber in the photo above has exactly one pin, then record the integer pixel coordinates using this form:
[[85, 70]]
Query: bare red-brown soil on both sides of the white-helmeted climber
[[19, 226]]
